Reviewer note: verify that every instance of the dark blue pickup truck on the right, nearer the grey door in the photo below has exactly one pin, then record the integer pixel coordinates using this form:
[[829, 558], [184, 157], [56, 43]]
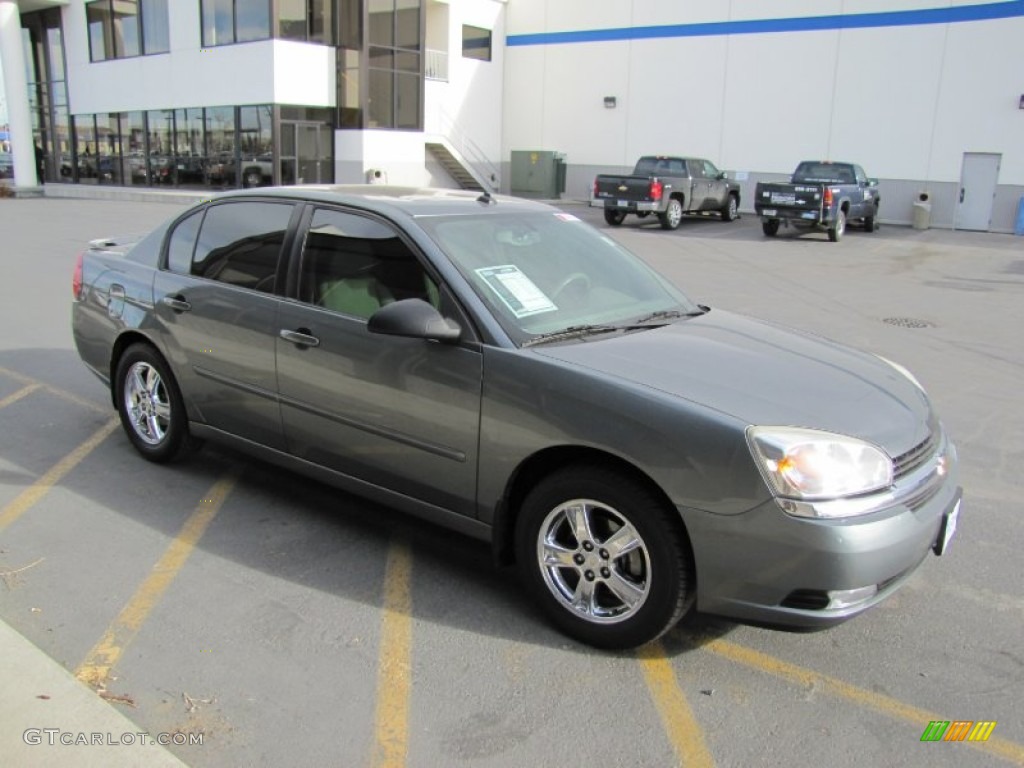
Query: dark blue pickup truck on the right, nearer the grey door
[[822, 195]]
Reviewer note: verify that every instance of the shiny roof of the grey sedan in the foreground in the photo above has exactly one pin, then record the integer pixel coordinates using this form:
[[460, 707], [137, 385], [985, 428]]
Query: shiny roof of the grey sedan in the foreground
[[391, 199]]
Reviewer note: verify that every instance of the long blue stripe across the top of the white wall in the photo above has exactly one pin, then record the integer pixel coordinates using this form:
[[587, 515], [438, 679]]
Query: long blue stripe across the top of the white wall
[[1007, 10]]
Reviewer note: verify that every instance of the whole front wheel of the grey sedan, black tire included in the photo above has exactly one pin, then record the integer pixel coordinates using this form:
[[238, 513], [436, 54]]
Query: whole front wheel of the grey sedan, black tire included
[[605, 559]]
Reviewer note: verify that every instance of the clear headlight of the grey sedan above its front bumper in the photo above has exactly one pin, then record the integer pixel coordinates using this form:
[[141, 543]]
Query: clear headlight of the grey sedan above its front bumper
[[807, 465]]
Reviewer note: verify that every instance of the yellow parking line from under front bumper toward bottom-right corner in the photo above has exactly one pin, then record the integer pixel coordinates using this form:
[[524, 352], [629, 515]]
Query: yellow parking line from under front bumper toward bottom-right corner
[[890, 707]]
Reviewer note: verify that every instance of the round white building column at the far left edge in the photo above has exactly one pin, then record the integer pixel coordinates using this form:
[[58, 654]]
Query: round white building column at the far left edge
[[23, 147]]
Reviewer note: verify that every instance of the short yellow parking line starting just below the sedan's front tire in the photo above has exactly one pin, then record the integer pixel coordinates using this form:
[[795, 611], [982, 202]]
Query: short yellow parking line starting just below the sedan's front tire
[[681, 727]]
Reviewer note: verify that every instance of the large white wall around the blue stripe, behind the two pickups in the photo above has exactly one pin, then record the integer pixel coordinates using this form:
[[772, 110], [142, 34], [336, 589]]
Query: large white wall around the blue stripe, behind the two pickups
[[906, 102]]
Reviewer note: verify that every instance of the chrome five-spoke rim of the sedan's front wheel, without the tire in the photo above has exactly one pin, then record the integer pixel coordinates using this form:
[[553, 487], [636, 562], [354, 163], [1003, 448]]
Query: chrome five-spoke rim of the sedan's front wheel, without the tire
[[594, 562]]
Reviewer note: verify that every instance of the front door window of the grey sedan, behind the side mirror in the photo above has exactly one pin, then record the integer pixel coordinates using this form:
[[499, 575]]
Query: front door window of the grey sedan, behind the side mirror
[[355, 266]]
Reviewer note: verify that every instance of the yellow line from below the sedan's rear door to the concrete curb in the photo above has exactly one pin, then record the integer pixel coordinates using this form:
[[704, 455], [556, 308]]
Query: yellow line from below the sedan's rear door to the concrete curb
[[98, 665]]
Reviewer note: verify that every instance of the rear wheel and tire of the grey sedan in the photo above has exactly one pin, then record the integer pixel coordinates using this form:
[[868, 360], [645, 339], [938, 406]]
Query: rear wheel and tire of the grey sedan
[[150, 405]]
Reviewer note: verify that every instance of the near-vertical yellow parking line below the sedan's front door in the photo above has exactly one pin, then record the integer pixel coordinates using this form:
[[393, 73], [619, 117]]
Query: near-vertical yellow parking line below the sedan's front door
[[395, 672]]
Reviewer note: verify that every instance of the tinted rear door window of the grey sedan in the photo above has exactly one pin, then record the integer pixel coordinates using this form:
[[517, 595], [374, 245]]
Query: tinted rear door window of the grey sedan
[[240, 244]]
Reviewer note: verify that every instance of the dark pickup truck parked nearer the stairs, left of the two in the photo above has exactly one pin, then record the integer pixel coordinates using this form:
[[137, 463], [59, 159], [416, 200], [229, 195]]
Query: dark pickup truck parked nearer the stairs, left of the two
[[667, 187]]
